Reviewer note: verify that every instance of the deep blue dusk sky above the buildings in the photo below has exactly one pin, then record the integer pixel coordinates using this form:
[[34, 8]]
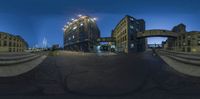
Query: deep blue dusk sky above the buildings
[[35, 20]]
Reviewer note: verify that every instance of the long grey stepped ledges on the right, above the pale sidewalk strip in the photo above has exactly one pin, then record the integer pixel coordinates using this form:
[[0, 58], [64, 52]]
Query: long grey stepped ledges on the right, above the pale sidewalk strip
[[187, 58]]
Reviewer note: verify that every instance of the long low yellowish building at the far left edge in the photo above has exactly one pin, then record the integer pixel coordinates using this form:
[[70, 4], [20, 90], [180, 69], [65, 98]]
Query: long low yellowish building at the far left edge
[[12, 43]]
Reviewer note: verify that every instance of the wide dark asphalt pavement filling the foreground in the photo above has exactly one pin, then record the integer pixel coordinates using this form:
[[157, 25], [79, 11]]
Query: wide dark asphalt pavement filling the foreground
[[138, 76]]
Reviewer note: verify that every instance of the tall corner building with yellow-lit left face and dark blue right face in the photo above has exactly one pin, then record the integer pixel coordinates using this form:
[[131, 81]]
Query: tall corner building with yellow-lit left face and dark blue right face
[[125, 34]]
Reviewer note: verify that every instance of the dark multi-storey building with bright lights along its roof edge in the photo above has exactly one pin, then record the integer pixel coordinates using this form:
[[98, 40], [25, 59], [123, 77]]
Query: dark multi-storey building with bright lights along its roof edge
[[81, 34]]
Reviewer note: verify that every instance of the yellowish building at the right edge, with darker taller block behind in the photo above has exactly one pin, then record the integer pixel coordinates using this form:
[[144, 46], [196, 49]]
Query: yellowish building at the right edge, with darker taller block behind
[[185, 41]]
